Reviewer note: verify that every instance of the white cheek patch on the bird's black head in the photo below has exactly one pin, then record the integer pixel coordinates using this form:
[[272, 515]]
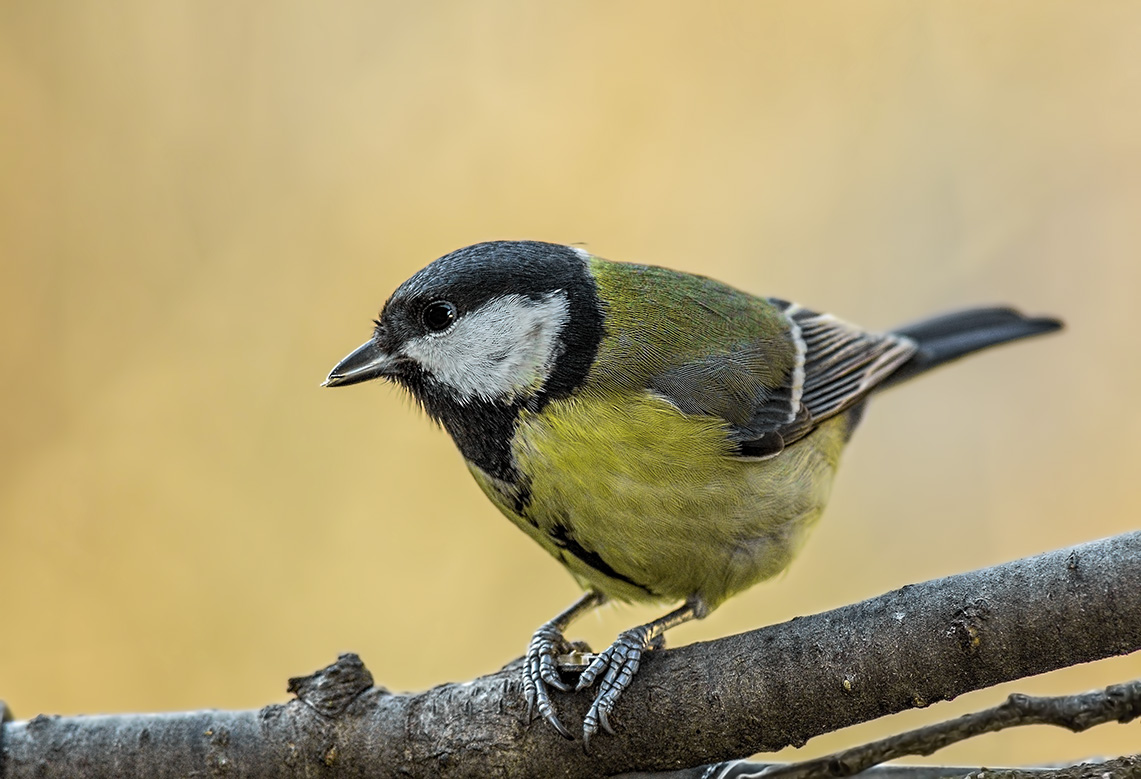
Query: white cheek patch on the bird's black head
[[500, 350]]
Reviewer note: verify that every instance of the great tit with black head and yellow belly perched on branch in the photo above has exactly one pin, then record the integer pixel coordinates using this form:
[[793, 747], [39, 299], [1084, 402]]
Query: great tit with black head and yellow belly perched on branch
[[663, 436]]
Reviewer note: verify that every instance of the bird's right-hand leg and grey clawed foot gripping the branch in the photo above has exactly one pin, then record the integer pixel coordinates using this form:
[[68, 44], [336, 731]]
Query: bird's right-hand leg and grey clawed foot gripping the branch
[[619, 663]]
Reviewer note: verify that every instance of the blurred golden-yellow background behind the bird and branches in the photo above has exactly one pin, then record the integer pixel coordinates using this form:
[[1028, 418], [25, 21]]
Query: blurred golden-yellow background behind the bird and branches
[[204, 205]]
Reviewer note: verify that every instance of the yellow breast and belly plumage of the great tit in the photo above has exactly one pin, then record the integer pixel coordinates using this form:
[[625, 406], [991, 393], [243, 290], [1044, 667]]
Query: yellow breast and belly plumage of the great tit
[[645, 504]]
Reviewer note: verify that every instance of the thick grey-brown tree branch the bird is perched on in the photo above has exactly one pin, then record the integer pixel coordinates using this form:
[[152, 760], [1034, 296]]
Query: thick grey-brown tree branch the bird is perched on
[[758, 692]]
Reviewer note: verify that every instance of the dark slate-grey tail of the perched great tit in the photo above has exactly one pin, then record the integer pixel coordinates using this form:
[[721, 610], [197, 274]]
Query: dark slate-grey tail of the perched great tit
[[950, 337]]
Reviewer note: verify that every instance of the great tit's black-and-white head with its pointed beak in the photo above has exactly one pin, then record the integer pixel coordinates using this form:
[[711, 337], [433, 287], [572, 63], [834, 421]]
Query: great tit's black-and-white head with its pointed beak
[[496, 323]]
